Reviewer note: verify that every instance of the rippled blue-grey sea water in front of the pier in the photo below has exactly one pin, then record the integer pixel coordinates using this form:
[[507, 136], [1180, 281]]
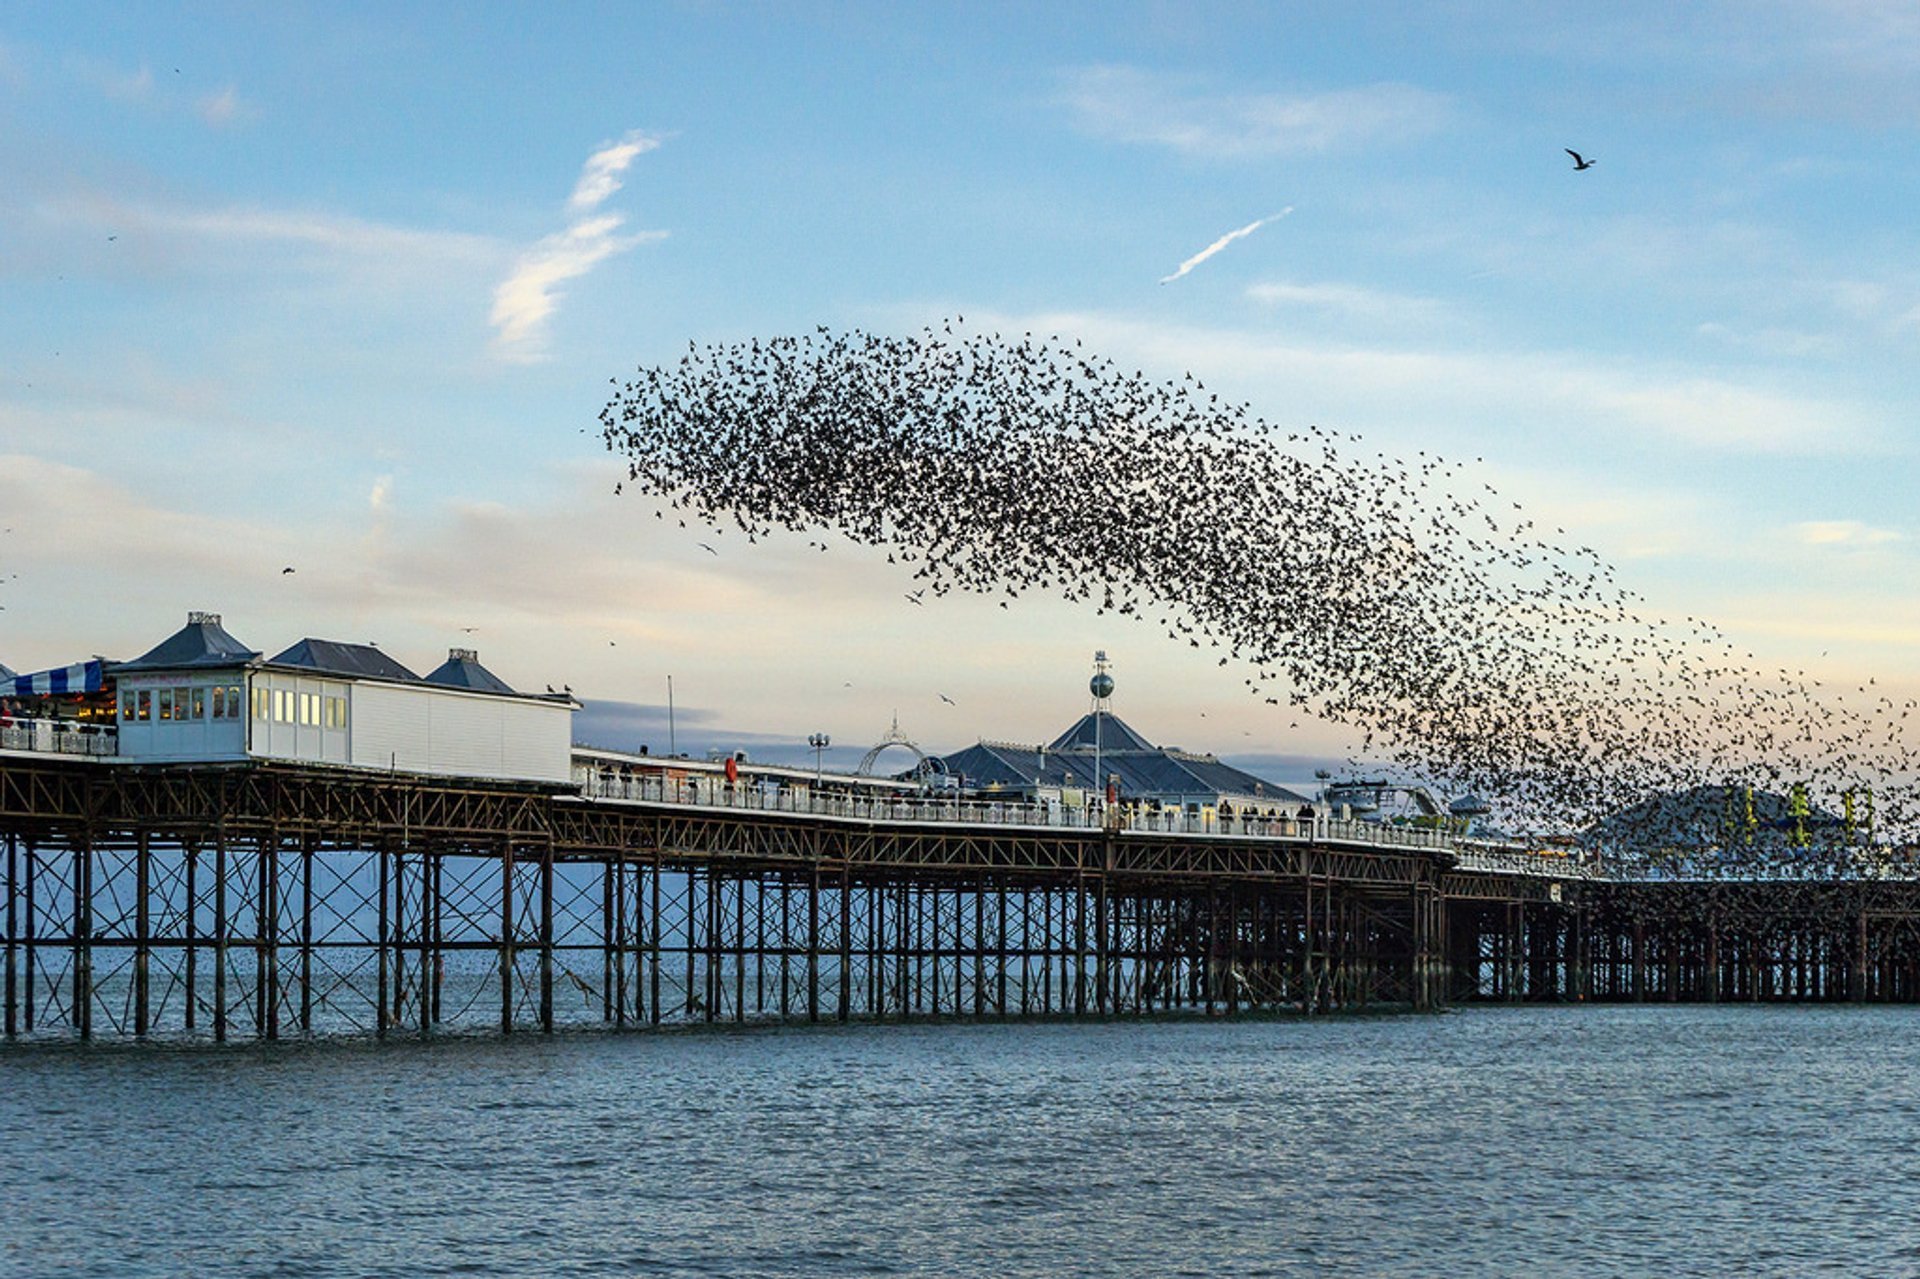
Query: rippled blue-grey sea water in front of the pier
[[1516, 1142]]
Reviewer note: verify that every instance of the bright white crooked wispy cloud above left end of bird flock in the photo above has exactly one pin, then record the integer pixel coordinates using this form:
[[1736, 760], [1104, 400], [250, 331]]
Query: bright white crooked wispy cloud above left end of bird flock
[[529, 297]]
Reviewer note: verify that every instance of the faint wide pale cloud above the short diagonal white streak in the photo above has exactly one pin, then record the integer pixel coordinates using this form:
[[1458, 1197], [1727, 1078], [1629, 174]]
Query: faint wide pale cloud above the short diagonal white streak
[[1126, 105]]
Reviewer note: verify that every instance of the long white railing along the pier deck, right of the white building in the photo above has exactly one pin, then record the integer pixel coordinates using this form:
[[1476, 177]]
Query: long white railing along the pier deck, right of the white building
[[754, 798]]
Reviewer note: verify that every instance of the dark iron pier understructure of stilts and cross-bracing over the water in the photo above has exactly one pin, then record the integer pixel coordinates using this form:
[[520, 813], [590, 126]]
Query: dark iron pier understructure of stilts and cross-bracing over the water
[[270, 900]]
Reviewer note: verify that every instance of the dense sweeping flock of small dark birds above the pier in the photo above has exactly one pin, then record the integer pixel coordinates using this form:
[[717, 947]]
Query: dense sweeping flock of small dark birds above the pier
[[1464, 644]]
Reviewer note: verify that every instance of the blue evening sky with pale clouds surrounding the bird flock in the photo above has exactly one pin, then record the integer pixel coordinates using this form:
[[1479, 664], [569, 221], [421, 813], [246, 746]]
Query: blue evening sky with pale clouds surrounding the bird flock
[[343, 289]]
